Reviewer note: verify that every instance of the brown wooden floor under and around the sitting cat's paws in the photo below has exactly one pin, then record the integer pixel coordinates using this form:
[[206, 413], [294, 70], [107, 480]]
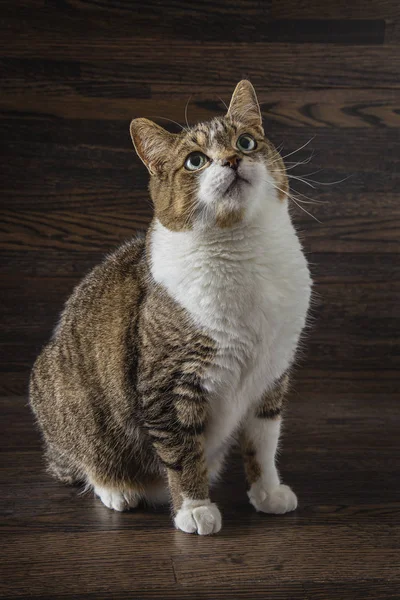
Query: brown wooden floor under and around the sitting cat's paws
[[341, 455]]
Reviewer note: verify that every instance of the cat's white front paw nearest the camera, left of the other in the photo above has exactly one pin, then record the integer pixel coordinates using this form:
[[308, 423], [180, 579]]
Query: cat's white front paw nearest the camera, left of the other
[[198, 516]]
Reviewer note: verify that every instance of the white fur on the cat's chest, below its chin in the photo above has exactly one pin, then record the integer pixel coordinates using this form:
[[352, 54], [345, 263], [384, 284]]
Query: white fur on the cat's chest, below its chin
[[248, 288]]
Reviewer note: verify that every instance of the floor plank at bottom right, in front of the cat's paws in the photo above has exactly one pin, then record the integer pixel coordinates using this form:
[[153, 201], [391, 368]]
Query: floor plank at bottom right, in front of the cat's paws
[[343, 554]]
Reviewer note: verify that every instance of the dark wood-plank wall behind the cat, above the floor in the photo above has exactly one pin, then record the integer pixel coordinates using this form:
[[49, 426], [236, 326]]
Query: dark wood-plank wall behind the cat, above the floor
[[73, 74]]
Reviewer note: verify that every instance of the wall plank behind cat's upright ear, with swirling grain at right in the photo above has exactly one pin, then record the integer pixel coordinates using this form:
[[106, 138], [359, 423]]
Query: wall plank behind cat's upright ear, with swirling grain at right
[[33, 94]]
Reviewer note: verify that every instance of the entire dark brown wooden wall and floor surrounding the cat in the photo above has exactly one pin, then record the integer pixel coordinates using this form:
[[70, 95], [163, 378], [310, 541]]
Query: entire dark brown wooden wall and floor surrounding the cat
[[73, 73]]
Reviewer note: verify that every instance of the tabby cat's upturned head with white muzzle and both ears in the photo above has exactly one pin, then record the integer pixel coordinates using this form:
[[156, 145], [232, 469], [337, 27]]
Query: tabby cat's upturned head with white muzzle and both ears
[[215, 174]]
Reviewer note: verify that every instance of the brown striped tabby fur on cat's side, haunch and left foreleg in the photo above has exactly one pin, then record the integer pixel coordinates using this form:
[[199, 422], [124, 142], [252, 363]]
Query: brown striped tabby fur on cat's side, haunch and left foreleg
[[117, 390]]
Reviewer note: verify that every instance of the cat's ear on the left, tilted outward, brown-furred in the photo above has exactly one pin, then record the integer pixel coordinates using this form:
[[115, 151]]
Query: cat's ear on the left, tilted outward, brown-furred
[[152, 143]]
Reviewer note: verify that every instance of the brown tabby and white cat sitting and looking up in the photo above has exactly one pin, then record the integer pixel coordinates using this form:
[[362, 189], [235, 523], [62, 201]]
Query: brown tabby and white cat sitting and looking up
[[180, 343]]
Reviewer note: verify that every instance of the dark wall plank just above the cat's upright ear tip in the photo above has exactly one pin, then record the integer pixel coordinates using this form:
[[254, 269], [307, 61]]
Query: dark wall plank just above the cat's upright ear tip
[[164, 67]]
